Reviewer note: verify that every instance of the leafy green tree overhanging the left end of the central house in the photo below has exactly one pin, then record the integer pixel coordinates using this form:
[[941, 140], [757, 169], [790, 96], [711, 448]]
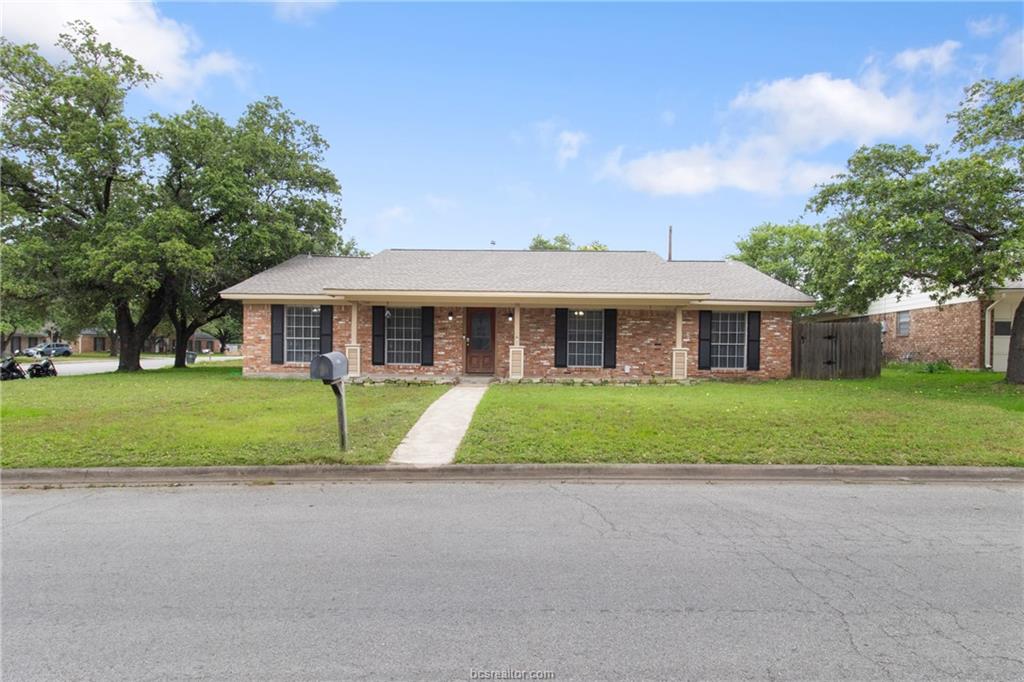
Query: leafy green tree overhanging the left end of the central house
[[245, 198]]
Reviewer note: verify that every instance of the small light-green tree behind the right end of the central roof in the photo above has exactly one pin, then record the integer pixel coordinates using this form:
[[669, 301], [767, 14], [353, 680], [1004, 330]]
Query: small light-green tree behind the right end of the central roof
[[786, 252]]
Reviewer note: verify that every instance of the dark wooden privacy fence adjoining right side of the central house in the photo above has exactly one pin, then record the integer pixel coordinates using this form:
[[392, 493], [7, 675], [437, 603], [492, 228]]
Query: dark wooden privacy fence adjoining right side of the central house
[[837, 351]]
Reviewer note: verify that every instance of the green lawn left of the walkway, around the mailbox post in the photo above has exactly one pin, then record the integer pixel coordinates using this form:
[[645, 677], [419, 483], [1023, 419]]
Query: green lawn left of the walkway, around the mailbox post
[[204, 415]]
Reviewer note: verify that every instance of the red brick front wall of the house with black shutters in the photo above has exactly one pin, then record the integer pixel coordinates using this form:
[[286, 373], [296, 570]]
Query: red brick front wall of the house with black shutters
[[646, 339]]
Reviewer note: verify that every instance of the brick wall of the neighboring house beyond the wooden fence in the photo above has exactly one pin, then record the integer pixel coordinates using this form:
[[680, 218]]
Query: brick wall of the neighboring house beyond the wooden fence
[[951, 333]]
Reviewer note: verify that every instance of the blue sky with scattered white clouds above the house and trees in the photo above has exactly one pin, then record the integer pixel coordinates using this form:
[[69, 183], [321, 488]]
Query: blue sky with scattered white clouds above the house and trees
[[455, 125]]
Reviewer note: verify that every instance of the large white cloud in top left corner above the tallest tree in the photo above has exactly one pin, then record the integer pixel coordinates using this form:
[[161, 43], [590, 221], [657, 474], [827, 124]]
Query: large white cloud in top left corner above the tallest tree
[[162, 46]]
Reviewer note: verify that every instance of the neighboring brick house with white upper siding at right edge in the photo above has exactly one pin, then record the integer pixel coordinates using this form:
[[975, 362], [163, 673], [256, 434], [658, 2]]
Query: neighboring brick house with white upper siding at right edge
[[968, 332]]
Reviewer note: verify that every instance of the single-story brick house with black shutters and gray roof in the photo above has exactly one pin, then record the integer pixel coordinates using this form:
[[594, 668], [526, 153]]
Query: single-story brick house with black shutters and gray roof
[[533, 315]]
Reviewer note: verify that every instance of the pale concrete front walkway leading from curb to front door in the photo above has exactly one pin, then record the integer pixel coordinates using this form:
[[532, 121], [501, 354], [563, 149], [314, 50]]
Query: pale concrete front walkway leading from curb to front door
[[437, 436]]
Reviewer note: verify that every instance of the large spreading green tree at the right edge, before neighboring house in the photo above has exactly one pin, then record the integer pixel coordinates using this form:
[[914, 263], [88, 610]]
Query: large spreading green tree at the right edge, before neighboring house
[[951, 223]]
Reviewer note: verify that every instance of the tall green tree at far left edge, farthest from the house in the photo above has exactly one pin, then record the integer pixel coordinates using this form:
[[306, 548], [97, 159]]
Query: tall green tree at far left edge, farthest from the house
[[75, 200]]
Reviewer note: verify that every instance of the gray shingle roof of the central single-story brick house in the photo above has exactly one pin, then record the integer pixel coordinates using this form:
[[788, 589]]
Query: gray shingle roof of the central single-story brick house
[[526, 272]]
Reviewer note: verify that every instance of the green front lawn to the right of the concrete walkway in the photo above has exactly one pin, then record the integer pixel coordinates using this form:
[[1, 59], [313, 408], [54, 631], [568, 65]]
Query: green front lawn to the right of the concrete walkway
[[905, 417]]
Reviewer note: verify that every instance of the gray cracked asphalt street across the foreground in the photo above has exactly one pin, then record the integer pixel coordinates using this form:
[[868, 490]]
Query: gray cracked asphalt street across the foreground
[[445, 581]]
